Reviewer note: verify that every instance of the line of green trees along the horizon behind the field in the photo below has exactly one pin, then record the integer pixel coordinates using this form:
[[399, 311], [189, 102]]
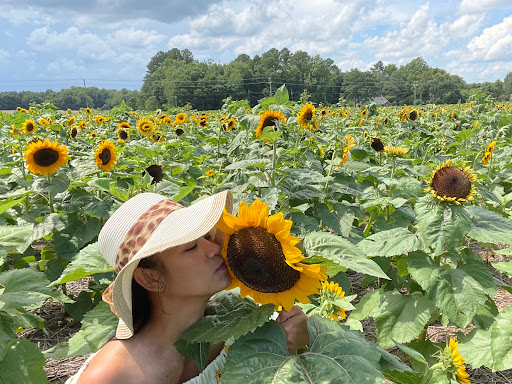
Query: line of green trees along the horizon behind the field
[[174, 79]]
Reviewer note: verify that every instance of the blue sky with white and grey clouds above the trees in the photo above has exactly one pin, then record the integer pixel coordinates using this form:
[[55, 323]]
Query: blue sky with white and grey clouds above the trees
[[56, 44]]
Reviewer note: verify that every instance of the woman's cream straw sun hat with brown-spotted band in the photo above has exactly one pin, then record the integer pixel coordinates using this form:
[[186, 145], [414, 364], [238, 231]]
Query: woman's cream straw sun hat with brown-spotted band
[[147, 224]]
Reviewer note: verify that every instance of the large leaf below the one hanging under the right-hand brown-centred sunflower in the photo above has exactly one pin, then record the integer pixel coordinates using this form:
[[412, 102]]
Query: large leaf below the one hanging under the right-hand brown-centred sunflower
[[458, 295]]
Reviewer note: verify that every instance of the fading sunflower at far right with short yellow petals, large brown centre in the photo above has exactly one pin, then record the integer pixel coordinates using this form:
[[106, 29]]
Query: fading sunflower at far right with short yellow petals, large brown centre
[[449, 183]]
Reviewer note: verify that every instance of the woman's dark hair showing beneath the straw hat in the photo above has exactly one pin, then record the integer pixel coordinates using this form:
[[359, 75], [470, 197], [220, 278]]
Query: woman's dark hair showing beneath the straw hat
[[141, 305]]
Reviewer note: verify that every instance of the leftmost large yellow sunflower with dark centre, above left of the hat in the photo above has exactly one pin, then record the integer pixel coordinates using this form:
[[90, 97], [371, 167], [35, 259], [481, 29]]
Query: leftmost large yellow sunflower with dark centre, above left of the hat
[[44, 157]]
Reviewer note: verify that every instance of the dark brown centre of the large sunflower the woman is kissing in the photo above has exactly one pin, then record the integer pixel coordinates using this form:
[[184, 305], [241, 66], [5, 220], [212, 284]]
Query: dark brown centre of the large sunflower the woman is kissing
[[256, 258]]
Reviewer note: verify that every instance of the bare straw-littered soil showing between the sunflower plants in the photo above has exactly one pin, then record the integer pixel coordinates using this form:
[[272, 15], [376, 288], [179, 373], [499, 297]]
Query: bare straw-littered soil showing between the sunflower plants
[[59, 327]]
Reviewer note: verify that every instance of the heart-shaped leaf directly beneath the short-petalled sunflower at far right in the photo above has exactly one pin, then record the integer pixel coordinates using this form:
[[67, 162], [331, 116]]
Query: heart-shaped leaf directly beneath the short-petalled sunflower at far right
[[441, 225]]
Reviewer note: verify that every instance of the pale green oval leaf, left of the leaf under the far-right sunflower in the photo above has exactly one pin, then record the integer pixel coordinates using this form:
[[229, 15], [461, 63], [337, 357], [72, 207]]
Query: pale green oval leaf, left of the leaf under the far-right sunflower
[[397, 241]]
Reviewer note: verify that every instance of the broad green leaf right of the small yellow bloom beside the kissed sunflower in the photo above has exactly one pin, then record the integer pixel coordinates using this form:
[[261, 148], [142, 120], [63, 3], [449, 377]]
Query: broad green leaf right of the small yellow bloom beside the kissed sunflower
[[401, 318]]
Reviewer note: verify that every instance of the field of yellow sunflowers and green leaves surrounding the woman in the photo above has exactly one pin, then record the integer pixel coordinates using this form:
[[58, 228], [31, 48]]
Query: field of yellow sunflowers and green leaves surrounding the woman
[[395, 219]]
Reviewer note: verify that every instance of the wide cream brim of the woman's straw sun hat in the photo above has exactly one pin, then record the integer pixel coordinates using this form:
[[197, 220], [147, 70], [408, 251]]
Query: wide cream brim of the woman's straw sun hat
[[179, 227]]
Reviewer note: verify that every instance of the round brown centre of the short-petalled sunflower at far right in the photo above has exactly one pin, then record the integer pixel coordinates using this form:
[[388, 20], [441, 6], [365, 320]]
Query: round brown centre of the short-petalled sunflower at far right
[[451, 182]]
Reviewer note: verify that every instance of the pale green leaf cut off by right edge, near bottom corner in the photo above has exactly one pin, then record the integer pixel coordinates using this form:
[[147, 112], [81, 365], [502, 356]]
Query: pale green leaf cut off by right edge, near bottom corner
[[491, 348]]
